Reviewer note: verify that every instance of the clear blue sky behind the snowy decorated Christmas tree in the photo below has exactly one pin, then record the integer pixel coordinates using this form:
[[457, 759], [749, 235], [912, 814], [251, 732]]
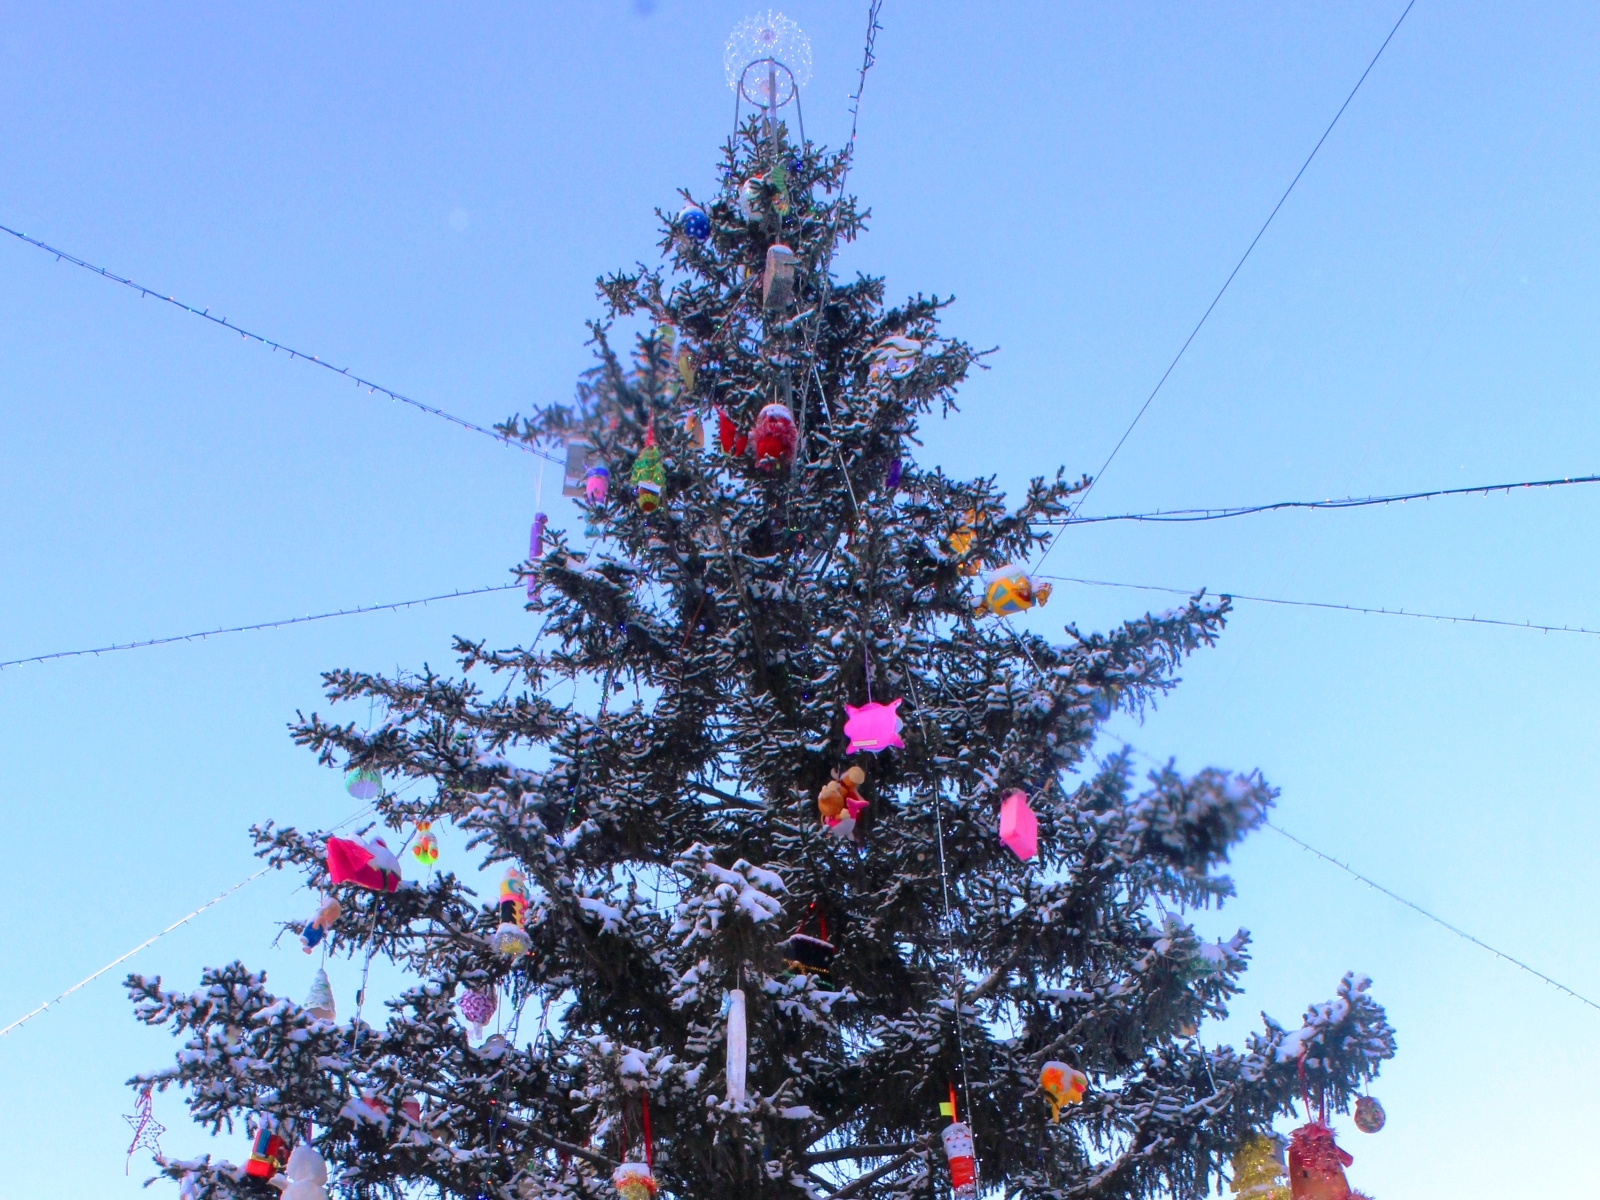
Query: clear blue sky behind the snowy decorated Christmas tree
[[426, 194]]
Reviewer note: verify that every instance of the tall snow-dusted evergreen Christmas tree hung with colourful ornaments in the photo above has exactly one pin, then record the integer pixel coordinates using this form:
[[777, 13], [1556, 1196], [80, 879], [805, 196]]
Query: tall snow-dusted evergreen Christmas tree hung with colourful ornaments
[[812, 886]]
